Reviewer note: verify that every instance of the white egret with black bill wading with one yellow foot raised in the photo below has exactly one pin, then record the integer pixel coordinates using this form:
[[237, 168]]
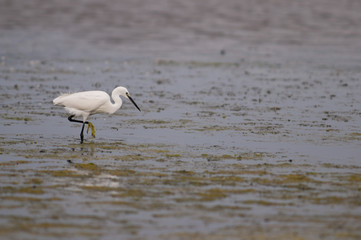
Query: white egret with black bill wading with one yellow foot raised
[[84, 104]]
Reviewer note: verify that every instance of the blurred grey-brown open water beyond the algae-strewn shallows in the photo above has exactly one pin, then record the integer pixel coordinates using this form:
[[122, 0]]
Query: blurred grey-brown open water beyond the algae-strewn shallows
[[49, 27]]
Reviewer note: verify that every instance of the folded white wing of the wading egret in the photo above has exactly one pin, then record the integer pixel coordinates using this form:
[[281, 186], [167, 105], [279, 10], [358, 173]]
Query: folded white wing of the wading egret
[[88, 101]]
